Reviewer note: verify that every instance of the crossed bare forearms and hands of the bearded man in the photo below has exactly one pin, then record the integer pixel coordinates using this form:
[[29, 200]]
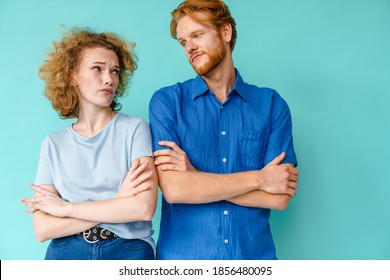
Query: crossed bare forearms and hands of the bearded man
[[271, 187]]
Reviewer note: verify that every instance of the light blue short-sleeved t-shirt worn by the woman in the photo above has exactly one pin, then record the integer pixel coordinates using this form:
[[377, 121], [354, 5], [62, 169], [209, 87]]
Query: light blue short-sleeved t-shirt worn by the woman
[[90, 169]]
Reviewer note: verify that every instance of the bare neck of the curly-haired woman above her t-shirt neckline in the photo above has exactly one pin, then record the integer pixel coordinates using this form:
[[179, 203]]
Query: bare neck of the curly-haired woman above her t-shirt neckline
[[90, 123]]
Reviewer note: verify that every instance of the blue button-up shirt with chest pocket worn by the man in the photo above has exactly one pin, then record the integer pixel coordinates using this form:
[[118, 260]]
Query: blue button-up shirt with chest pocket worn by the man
[[244, 133]]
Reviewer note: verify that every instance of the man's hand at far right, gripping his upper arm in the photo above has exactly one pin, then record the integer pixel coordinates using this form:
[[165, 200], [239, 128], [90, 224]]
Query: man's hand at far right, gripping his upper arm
[[279, 178]]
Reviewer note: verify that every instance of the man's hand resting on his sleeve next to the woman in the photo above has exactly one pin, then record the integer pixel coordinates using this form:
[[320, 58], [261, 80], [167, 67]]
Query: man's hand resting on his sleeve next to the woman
[[174, 159]]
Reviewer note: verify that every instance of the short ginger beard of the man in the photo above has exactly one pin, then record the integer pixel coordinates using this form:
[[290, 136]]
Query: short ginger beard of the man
[[216, 56]]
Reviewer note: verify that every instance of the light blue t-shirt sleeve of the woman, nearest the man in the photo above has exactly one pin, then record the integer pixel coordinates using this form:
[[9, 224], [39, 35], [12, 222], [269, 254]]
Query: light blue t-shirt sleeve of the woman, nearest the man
[[142, 141]]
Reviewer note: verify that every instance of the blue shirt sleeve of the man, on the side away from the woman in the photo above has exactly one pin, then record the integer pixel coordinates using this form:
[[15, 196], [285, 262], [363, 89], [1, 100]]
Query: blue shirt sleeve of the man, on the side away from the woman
[[280, 139]]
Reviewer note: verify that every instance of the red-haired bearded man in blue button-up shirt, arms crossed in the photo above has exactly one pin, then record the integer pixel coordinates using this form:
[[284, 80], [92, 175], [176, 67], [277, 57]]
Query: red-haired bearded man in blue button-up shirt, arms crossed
[[223, 148]]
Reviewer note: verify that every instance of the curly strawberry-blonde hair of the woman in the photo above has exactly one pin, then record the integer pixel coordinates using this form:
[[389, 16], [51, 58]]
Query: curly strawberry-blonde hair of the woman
[[62, 62]]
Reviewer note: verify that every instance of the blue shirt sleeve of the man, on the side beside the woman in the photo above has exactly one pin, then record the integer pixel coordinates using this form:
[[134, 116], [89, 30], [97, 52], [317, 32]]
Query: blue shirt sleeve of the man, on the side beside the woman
[[163, 119]]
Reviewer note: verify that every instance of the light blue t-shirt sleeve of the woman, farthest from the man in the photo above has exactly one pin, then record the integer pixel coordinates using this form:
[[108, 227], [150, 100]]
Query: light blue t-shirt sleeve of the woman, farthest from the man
[[44, 175]]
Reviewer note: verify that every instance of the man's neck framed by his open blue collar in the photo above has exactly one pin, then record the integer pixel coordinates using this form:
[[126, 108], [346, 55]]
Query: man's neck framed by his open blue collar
[[221, 80]]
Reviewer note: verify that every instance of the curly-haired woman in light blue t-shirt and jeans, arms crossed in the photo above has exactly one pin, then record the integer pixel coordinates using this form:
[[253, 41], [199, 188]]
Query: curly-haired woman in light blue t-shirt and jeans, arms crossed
[[96, 185]]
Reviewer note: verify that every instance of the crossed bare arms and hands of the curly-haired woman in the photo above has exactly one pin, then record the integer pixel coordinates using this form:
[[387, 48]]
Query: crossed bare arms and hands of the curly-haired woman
[[135, 201]]
